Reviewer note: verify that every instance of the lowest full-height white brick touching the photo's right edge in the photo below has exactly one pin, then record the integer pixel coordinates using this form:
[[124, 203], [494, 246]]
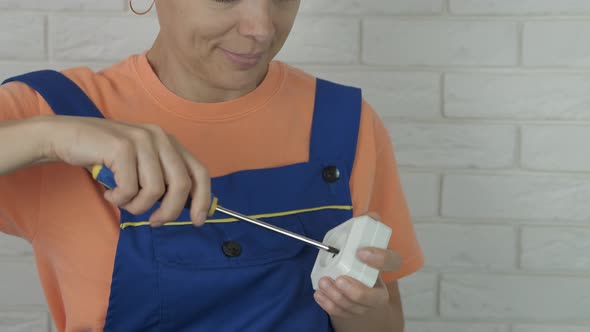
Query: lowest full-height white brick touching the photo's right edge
[[524, 297]]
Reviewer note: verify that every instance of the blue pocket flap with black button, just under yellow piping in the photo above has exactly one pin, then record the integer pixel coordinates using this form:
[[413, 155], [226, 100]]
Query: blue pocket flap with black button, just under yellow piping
[[225, 245]]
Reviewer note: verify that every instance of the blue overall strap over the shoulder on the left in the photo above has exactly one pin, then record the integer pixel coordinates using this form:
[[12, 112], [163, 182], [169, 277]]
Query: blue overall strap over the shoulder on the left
[[63, 96]]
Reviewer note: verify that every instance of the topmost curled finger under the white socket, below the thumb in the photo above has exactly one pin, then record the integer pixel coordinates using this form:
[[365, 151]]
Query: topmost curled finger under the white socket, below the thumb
[[358, 293]]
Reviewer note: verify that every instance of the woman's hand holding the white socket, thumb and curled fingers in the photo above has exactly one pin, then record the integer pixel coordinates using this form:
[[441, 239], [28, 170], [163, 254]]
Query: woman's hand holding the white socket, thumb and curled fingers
[[347, 297]]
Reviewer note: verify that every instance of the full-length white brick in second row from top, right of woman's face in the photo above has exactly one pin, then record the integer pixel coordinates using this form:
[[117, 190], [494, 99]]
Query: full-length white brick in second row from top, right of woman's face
[[439, 43]]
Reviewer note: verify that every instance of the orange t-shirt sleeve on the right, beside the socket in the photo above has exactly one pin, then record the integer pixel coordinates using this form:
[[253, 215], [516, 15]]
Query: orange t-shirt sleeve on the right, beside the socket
[[375, 187]]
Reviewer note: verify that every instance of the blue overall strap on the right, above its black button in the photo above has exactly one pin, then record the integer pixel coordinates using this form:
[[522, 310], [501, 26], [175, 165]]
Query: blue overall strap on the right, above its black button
[[335, 126]]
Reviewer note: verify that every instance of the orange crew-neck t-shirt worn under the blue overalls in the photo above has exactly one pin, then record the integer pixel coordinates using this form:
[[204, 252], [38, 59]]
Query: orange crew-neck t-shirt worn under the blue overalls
[[74, 231]]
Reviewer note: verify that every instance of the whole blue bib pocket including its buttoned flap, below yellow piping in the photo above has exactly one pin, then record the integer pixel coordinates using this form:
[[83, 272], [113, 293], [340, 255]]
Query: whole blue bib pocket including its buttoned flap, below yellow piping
[[231, 276]]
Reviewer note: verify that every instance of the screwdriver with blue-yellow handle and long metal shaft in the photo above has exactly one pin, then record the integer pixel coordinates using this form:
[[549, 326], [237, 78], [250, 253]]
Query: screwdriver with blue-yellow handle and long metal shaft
[[105, 176]]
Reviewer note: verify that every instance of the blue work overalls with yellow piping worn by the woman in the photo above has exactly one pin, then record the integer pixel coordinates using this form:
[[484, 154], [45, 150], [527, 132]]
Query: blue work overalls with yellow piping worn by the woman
[[228, 275]]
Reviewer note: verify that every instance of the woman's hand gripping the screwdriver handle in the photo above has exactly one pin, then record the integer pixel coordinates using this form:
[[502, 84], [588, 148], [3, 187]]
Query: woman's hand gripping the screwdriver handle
[[146, 161]]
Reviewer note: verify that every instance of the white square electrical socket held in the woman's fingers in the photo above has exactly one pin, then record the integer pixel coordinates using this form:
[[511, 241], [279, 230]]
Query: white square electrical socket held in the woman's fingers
[[355, 233]]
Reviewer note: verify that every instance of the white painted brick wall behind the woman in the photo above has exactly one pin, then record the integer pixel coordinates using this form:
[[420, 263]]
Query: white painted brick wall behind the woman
[[488, 104]]
